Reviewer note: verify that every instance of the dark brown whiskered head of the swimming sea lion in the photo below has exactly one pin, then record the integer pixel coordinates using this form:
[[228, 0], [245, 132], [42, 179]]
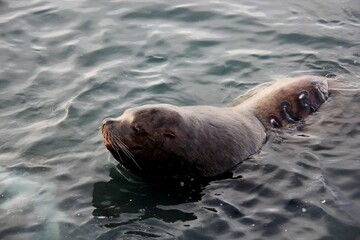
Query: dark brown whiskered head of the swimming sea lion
[[143, 134]]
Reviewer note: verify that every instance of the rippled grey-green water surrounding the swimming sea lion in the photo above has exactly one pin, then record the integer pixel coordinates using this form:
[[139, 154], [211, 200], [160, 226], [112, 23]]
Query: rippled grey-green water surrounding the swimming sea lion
[[66, 65]]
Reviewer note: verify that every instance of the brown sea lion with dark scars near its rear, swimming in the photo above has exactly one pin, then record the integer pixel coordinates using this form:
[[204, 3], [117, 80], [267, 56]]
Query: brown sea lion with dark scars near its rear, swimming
[[163, 140]]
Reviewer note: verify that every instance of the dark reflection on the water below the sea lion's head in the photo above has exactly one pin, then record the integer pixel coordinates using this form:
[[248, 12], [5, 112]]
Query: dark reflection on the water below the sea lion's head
[[143, 200]]
